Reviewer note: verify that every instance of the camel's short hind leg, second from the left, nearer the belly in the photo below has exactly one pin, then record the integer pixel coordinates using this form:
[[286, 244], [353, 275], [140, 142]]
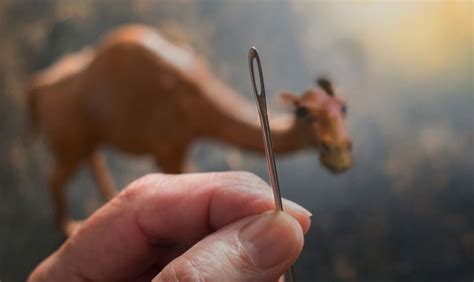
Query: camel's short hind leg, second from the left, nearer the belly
[[102, 176]]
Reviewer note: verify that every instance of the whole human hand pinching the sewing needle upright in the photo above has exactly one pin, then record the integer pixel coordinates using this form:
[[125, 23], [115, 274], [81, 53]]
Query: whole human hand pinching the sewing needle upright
[[192, 227]]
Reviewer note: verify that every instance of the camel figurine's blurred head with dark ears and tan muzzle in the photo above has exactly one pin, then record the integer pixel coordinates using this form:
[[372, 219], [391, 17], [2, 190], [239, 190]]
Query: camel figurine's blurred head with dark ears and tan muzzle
[[320, 116]]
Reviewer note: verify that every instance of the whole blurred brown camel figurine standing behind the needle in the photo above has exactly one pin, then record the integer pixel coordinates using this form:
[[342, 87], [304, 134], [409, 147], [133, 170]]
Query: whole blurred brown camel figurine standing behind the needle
[[140, 93]]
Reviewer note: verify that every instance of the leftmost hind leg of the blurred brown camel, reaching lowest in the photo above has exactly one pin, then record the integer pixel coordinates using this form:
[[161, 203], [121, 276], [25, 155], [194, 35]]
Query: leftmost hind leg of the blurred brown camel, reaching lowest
[[58, 178]]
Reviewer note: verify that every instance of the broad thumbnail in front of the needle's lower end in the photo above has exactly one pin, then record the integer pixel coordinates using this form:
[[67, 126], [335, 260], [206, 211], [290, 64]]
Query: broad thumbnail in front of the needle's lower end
[[271, 239]]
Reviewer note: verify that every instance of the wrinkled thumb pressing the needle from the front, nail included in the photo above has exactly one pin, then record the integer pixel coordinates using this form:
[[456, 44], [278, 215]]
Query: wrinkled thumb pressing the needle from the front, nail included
[[259, 248]]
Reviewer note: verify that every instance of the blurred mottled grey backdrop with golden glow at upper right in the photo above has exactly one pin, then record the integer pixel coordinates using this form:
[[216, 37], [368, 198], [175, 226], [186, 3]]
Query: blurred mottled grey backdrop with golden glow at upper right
[[404, 212]]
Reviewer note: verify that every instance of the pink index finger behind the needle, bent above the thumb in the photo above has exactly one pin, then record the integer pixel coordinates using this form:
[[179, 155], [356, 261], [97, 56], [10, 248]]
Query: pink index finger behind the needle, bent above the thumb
[[160, 215]]
